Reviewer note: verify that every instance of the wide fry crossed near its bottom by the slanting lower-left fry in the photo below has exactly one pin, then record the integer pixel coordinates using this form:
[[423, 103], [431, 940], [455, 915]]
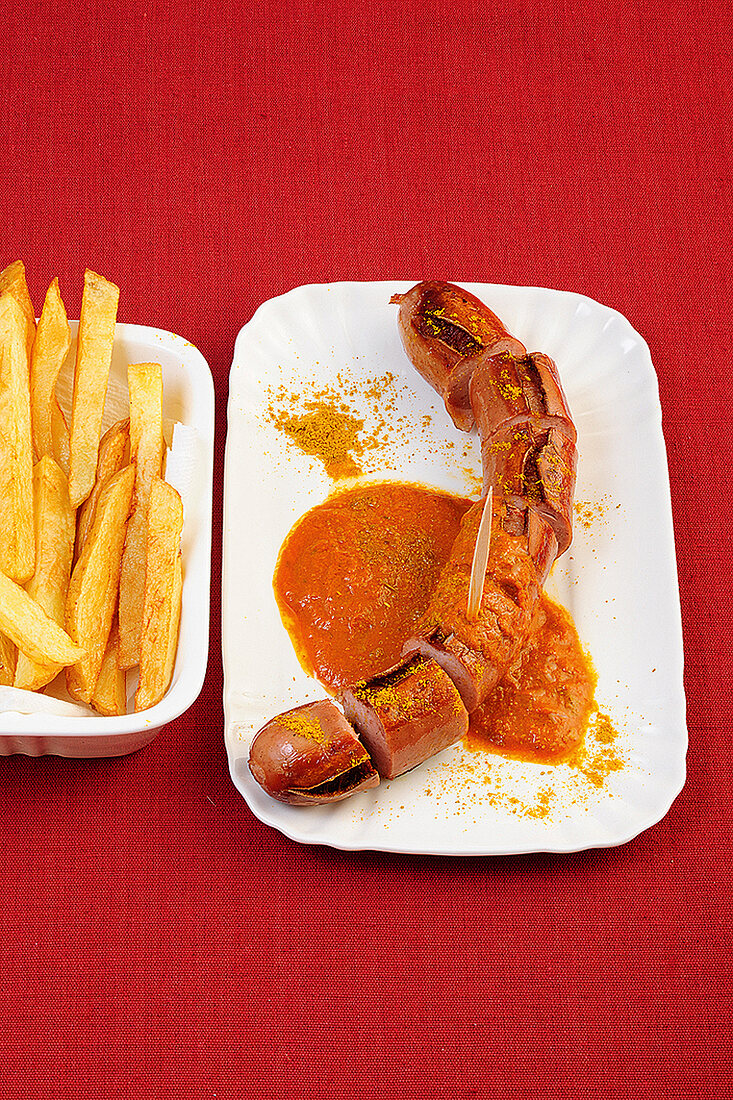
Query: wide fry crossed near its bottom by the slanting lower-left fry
[[54, 542]]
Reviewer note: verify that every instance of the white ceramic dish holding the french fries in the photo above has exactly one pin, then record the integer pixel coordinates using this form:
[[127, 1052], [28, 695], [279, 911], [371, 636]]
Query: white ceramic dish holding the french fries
[[189, 400]]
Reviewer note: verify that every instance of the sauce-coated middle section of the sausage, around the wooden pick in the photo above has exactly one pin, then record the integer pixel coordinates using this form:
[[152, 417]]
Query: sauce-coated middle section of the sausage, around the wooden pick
[[476, 653]]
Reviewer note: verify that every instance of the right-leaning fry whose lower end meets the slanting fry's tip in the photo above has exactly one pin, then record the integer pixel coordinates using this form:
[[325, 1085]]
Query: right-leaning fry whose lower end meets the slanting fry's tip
[[93, 591]]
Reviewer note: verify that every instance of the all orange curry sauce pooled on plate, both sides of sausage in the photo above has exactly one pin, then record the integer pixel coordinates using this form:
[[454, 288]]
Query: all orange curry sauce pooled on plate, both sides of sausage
[[355, 576]]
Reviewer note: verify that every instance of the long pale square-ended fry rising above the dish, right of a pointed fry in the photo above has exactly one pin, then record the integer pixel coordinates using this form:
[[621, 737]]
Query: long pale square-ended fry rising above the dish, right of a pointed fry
[[94, 356]]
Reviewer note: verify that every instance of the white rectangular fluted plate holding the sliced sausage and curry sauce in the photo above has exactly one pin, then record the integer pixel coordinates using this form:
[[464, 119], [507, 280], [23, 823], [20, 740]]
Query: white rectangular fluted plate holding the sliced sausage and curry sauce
[[619, 580]]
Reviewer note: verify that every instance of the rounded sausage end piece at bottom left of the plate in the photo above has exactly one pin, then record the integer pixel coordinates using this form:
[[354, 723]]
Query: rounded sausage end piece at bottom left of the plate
[[311, 755]]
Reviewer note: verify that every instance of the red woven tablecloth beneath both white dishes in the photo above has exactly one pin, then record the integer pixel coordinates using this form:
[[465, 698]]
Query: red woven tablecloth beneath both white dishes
[[157, 940]]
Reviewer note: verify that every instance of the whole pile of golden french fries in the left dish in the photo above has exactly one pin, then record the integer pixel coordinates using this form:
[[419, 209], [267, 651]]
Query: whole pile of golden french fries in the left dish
[[91, 569]]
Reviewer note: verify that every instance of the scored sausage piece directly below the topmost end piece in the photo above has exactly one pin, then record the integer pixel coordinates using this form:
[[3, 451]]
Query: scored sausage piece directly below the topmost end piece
[[508, 390]]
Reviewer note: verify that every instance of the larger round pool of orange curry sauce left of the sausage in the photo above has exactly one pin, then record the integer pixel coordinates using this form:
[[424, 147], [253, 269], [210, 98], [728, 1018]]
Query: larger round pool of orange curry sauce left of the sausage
[[356, 574]]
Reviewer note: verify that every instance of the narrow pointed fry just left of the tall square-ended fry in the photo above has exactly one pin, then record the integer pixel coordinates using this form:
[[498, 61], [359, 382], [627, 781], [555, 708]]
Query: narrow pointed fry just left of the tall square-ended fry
[[53, 340]]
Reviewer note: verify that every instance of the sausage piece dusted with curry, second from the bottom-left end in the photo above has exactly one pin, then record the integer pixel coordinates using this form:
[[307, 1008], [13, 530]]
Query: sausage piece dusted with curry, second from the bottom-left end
[[407, 716]]
